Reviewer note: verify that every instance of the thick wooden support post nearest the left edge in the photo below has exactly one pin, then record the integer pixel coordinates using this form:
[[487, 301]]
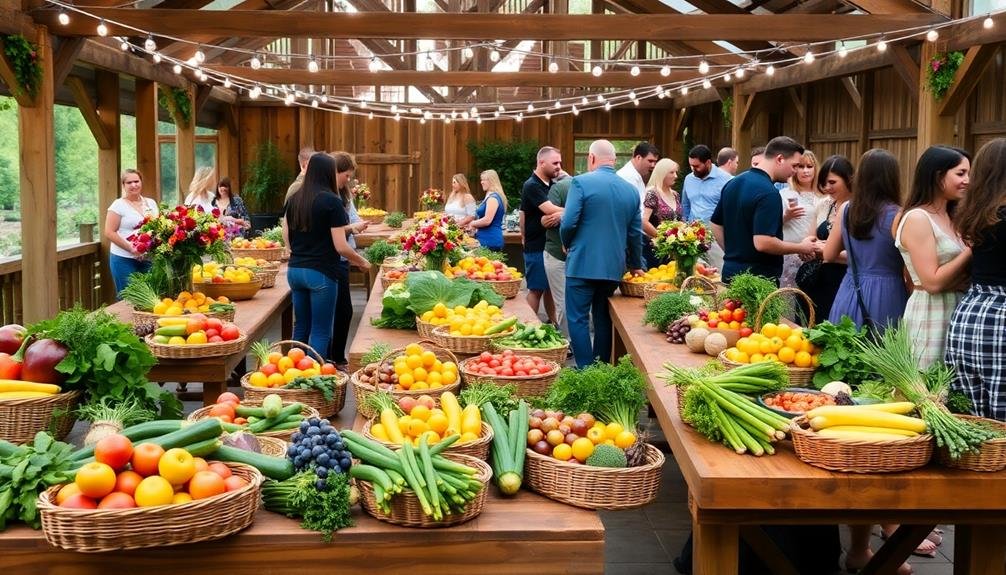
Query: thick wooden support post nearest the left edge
[[40, 289]]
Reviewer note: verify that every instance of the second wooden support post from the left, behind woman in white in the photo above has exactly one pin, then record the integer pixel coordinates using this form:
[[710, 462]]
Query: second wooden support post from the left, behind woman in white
[[109, 165]]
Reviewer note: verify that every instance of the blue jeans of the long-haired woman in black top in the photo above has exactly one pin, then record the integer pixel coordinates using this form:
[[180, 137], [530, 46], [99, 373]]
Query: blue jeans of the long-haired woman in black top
[[314, 296]]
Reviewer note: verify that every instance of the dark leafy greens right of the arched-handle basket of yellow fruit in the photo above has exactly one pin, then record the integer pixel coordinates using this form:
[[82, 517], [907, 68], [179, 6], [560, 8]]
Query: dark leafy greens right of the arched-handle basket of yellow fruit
[[841, 358]]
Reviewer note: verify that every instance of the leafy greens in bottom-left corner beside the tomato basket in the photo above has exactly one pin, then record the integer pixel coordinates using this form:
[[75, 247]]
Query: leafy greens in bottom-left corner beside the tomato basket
[[27, 471]]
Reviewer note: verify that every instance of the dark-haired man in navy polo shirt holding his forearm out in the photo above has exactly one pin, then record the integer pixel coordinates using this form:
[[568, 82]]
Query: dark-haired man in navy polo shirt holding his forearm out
[[748, 222]]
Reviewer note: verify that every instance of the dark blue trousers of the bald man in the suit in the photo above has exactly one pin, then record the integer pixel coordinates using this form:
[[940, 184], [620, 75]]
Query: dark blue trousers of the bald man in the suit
[[584, 298]]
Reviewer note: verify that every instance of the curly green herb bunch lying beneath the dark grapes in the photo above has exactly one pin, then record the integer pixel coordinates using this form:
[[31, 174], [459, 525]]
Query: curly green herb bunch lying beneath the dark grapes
[[325, 510]]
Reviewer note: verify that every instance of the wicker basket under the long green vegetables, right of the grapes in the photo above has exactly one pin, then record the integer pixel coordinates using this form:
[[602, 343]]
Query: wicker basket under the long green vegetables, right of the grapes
[[406, 509]]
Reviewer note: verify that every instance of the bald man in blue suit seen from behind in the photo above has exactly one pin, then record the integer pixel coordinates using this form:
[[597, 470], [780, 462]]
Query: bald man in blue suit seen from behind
[[602, 220]]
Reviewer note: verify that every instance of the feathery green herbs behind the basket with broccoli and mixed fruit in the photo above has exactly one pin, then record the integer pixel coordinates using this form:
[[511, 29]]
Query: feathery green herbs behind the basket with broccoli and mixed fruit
[[610, 393]]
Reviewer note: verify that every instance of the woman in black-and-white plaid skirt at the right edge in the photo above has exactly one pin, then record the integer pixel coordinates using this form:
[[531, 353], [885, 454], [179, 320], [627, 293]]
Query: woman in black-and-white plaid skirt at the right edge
[[976, 340]]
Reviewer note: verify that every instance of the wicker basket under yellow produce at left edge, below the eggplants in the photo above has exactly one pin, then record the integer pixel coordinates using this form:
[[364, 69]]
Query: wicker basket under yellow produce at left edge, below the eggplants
[[21, 420]]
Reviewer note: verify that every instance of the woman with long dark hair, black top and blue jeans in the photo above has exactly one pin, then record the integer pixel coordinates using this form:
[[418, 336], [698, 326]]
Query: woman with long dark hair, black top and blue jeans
[[314, 227]]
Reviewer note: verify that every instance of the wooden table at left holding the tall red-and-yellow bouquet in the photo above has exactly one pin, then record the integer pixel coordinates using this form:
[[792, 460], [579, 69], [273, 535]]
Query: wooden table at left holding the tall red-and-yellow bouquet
[[253, 317]]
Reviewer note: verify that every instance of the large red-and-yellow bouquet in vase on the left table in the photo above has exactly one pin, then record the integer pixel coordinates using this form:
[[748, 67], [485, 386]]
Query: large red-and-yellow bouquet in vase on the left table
[[177, 241]]
